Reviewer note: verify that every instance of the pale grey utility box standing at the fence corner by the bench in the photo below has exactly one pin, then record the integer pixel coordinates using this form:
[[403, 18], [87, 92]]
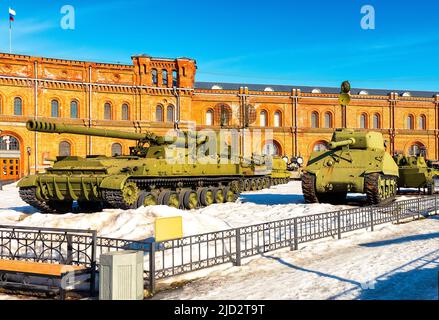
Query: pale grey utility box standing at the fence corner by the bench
[[121, 276]]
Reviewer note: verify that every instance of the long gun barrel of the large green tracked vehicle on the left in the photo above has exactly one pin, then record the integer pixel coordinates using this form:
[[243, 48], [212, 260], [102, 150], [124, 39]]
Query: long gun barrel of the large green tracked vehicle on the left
[[53, 127]]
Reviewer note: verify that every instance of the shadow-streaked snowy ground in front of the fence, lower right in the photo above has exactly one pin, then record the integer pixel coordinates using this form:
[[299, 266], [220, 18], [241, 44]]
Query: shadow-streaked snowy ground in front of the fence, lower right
[[394, 262]]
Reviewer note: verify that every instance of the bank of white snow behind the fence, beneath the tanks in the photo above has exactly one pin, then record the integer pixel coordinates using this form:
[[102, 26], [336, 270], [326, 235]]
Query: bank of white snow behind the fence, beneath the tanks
[[279, 202]]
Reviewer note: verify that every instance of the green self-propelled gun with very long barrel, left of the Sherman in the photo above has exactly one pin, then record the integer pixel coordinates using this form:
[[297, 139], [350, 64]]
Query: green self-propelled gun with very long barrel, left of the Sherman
[[159, 170]]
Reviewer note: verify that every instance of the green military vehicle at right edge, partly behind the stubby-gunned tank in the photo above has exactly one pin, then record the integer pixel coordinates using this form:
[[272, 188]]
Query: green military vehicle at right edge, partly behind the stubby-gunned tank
[[416, 172]]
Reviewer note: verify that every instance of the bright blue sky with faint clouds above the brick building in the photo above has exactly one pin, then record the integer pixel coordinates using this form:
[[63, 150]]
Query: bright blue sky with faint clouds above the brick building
[[317, 43]]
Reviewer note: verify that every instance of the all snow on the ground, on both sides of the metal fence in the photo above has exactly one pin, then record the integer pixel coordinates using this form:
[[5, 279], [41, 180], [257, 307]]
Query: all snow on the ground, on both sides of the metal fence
[[320, 270]]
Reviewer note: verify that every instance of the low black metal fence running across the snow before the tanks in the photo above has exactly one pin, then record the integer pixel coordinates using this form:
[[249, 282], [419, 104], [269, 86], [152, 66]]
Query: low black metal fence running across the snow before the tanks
[[176, 257]]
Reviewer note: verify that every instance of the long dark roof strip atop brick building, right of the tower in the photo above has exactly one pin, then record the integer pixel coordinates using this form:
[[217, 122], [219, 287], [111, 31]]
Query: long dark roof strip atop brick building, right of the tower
[[308, 89]]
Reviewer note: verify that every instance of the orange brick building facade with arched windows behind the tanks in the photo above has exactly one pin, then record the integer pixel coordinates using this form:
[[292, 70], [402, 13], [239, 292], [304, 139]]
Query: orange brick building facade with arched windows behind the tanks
[[157, 94]]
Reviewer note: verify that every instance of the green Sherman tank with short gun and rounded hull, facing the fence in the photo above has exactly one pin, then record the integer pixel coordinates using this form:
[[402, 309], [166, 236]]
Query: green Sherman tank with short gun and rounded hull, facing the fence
[[356, 162]]
